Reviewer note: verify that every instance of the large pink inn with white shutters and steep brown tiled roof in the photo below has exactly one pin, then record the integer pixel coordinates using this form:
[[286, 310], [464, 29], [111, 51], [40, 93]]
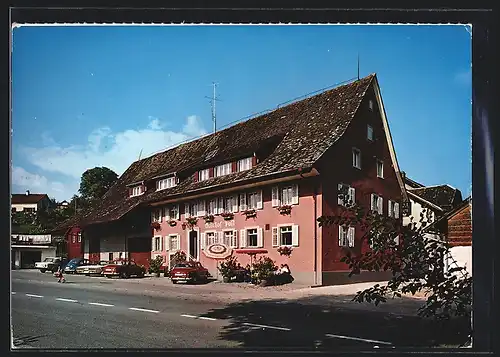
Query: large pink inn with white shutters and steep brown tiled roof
[[302, 155]]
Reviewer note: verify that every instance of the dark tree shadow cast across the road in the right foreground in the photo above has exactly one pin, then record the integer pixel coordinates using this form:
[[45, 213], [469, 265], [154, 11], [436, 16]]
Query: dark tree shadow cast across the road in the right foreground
[[311, 323]]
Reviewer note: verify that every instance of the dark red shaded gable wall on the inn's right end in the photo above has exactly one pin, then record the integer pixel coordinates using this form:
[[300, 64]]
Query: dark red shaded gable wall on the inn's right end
[[336, 167]]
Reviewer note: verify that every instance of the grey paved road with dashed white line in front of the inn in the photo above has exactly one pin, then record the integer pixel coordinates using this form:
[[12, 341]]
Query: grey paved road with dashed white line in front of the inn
[[96, 313]]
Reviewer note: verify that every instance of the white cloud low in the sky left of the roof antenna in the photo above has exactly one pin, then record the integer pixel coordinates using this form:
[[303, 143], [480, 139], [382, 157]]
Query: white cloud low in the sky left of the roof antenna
[[103, 148]]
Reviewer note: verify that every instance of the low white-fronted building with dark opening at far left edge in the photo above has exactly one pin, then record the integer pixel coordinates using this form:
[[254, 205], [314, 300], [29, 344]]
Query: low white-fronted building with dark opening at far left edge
[[27, 249]]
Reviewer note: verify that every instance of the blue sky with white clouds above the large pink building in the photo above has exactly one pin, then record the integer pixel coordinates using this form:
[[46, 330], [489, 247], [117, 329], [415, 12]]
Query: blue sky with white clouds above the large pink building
[[106, 95]]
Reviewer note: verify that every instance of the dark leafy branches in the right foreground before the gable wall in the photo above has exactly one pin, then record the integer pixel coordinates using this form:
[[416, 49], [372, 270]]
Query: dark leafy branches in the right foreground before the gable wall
[[415, 259]]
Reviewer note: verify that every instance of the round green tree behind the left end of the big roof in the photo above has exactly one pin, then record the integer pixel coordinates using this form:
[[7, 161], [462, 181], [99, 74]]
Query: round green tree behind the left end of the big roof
[[94, 184]]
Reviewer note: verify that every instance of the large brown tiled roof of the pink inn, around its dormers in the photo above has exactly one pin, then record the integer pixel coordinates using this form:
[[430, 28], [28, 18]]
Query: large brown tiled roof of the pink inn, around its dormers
[[300, 132]]
